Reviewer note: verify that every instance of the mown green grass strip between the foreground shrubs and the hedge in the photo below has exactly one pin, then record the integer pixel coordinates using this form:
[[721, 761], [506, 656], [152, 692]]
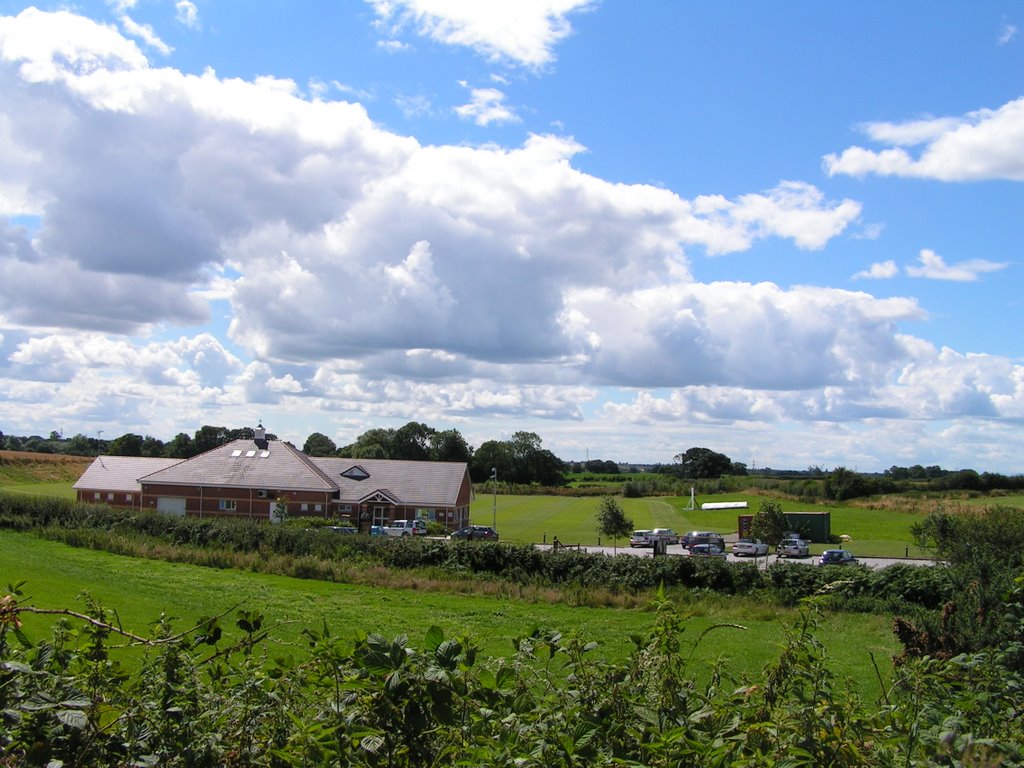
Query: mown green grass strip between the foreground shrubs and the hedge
[[142, 590]]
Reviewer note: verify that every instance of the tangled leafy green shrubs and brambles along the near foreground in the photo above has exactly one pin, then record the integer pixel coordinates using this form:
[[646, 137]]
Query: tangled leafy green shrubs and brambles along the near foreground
[[210, 697]]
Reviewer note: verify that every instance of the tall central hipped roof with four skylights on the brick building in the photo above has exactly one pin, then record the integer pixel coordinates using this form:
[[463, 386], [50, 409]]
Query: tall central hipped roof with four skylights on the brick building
[[246, 464]]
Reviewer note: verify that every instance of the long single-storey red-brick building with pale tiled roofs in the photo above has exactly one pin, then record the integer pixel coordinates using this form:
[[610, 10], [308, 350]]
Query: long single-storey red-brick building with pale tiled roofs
[[257, 479]]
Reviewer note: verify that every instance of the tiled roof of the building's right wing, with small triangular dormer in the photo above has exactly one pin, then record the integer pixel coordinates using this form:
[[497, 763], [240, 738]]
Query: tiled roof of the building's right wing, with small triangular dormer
[[414, 484]]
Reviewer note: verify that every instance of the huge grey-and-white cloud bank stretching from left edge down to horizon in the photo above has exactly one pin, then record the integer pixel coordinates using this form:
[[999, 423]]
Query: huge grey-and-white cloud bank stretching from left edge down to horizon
[[374, 278]]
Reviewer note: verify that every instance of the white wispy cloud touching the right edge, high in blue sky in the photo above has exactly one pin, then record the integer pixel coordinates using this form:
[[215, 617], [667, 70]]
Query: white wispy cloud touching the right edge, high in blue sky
[[983, 145]]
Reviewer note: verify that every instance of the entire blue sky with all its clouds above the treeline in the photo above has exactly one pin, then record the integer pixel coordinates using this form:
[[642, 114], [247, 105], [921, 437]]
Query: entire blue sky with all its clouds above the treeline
[[788, 232]]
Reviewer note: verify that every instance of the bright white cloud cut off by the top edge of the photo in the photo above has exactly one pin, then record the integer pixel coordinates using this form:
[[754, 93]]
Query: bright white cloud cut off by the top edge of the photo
[[521, 32]]
